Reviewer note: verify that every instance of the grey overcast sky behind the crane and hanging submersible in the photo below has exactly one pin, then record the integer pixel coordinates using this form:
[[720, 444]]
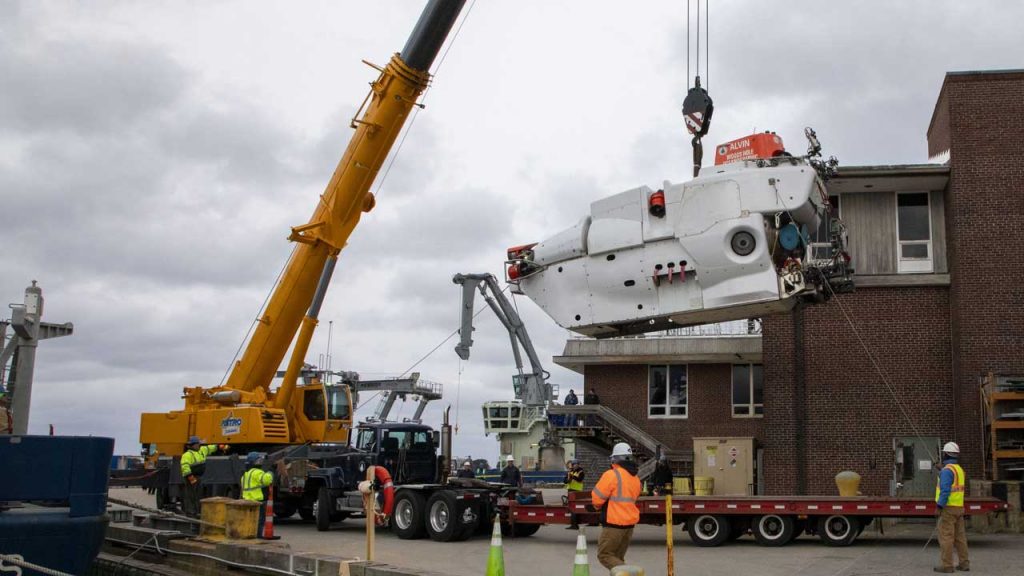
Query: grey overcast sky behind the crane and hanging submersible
[[153, 157]]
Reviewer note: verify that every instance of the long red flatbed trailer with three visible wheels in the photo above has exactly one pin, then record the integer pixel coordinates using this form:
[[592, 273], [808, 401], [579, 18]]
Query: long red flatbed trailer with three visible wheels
[[775, 521]]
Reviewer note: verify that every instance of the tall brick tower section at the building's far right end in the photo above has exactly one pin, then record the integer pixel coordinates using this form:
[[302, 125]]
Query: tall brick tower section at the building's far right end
[[980, 118]]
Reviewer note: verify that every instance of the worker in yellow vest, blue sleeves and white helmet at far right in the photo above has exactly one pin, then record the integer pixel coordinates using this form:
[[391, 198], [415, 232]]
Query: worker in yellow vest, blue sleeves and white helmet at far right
[[950, 500]]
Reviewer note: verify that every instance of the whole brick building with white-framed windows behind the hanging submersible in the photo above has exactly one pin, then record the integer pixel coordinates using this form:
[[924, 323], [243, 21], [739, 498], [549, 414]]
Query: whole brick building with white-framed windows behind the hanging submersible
[[940, 255]]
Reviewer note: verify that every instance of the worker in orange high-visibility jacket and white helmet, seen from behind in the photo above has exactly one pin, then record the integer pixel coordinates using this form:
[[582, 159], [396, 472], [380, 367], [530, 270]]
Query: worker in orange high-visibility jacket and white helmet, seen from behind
[[616, 496]]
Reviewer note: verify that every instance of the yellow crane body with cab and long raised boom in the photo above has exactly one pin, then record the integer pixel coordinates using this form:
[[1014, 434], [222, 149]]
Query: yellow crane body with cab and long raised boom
[[245, 410]]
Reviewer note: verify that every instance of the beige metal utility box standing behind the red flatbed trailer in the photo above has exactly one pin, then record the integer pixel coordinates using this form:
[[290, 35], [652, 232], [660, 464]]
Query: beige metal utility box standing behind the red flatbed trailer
[[730, 462]]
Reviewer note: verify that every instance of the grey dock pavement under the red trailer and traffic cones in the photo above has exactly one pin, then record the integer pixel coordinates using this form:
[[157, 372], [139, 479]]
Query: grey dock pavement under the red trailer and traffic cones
[[907, 550]]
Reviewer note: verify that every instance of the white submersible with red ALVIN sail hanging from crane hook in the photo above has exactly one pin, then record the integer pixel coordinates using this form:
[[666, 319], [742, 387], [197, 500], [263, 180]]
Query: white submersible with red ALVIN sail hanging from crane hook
[[731, 244]]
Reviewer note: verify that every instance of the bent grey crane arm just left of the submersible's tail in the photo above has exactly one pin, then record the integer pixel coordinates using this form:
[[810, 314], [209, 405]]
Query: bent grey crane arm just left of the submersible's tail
[[535, 388]]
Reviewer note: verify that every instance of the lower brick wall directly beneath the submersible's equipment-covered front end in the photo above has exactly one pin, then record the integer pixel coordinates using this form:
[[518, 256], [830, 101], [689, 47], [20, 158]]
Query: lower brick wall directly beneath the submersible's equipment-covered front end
[[851, 418]]
